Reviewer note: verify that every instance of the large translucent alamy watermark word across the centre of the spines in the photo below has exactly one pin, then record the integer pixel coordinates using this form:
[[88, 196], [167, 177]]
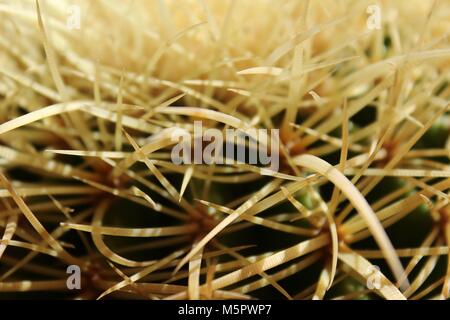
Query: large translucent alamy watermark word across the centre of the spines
[[230, 146]]
